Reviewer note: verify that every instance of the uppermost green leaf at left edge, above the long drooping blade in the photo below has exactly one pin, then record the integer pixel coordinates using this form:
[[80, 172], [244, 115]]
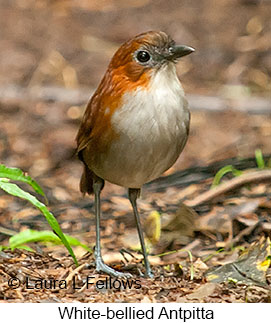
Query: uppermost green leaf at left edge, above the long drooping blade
[[18, 175]]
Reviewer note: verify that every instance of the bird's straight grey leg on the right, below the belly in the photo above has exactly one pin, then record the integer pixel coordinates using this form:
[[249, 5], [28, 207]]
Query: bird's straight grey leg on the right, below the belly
[[133, 194]]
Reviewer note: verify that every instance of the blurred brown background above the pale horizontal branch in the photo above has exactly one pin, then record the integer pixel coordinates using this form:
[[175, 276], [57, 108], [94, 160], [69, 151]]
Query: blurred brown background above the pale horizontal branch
[[69, 43]]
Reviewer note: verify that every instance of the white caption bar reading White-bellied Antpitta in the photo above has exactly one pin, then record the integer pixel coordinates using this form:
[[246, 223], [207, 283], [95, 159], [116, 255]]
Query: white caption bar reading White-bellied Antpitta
[[127, 312]]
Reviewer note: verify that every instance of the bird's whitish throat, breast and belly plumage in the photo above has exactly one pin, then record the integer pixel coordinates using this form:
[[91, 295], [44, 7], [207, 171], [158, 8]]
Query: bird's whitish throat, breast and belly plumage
[[152, 130]]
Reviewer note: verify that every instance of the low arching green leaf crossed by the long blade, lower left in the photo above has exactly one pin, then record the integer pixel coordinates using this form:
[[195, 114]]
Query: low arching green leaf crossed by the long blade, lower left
[[29, 235]]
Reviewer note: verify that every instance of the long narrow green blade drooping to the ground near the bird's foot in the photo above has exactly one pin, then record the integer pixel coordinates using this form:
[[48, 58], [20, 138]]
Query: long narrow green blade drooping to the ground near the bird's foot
[[15, 190]]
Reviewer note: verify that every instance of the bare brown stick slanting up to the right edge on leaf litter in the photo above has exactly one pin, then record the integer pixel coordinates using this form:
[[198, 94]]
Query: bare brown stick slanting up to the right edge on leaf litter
[[253, 177]]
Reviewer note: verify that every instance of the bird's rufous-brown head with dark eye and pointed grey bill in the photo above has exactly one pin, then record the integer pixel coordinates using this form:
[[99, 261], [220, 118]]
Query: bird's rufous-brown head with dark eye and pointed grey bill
[[146, 53]]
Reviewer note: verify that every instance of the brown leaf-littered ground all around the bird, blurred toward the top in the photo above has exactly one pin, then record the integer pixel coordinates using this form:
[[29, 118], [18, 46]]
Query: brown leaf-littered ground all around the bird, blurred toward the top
[[53, 54]]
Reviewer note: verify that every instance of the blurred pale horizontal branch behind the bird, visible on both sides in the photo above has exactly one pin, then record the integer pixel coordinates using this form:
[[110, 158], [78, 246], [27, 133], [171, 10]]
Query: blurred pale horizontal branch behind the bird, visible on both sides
[[16, 94]]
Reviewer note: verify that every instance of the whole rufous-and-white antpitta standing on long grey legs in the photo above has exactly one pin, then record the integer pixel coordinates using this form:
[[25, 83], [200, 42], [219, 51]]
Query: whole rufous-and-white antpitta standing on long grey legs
[[135, 125]]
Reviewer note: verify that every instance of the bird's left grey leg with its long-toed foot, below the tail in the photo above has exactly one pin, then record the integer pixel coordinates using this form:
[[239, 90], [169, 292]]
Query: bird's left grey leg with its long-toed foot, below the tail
[[100, 265]]
